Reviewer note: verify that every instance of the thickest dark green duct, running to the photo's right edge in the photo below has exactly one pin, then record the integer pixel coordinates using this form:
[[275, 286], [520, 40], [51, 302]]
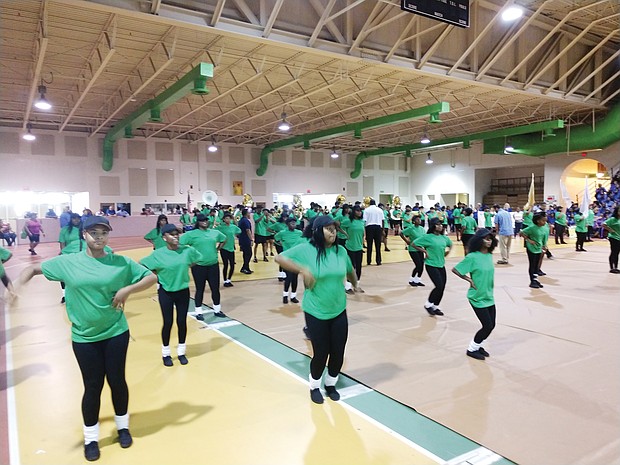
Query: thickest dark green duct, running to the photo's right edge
[[601, 134]]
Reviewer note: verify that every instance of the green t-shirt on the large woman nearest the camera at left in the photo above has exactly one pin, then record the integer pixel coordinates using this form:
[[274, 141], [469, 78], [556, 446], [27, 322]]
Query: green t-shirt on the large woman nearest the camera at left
[[90, 286]]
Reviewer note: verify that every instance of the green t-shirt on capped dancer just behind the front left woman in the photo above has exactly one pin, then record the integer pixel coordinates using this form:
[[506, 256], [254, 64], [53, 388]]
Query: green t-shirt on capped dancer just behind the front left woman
[[172, 266]]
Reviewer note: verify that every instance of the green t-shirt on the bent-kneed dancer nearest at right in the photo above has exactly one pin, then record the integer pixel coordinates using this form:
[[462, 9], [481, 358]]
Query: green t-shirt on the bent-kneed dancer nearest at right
[[482, 271]]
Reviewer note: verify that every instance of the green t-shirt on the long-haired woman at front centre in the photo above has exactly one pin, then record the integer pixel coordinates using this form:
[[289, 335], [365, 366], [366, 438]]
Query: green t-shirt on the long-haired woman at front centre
[[327, 299]]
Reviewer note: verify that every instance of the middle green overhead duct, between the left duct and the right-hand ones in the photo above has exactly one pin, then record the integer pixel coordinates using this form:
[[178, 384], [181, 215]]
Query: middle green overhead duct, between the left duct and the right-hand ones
[[354, 128]]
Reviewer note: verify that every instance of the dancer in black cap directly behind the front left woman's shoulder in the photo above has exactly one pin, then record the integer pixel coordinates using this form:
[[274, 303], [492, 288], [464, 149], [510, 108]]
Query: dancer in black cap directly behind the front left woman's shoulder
[[171, 265]]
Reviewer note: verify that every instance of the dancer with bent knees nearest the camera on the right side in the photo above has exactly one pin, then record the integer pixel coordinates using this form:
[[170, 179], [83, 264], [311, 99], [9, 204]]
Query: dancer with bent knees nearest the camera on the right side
[[478, 263]]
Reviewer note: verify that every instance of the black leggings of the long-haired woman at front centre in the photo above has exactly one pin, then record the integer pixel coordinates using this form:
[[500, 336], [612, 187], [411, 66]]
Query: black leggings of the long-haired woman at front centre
[[329, 338]]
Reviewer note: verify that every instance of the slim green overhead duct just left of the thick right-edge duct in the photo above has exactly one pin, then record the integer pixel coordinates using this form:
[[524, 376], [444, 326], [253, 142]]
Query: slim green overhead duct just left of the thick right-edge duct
[[465, 140]]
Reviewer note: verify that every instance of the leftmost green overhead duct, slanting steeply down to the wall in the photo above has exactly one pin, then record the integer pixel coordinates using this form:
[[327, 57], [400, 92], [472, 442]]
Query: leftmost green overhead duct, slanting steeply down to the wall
[[194, 82]]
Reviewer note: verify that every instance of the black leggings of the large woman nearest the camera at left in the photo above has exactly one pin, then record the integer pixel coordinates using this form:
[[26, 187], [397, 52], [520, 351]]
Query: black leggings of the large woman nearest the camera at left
[[99, 361]]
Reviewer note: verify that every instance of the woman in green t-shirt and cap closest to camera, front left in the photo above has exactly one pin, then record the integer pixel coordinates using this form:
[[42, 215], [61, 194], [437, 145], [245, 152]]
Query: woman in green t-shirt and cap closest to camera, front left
[[98, 285]]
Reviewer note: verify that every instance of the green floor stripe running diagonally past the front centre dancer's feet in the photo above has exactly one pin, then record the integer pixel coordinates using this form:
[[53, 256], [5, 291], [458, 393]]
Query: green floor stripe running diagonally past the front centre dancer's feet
[[402, 419]]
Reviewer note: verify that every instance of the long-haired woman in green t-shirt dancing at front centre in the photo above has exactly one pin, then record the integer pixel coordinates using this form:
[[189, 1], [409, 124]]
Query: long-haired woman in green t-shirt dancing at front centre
[[323, 265]]
